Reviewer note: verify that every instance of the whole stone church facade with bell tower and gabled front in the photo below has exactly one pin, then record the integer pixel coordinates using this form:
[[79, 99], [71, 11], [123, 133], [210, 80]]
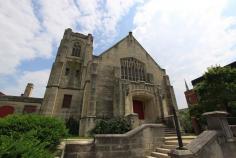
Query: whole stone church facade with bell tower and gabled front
[[122, 81]]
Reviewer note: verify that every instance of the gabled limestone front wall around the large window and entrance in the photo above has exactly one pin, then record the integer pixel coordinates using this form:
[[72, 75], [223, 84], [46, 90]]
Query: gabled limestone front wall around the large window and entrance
[[108, 83]]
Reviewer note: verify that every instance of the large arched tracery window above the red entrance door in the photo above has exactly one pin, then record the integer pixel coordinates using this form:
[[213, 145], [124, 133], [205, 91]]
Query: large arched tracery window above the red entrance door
[[132, 69]]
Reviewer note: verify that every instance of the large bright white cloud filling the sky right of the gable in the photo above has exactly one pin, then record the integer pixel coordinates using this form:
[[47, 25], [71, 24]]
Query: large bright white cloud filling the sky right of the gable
[[185, 37]]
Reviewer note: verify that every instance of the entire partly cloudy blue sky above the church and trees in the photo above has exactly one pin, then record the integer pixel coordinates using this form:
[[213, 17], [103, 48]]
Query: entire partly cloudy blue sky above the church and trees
[[184, 37]]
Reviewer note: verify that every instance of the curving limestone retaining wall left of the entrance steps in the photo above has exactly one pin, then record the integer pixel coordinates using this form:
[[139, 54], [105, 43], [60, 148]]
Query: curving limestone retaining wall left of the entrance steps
[[136, 143]]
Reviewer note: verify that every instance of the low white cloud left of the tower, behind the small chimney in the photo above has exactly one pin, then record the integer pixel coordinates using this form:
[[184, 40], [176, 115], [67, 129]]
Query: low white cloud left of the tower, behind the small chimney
[[38, 78]]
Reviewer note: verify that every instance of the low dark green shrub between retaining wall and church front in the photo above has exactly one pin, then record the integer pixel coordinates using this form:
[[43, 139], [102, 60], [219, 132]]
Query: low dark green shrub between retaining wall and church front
[[112, 126]]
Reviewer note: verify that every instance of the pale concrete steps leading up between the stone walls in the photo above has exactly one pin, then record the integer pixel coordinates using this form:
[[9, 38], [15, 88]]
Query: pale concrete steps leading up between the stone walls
[[171, 142]]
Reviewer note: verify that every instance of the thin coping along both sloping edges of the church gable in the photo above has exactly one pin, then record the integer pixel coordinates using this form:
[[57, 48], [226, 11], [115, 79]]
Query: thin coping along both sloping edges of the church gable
[[126, 37]]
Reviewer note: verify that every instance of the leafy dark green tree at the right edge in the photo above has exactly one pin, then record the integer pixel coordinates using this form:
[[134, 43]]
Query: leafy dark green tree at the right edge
[[218, 89]]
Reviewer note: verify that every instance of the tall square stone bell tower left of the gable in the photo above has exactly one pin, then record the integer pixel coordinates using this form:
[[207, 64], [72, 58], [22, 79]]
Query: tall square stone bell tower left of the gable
[[64, 92]]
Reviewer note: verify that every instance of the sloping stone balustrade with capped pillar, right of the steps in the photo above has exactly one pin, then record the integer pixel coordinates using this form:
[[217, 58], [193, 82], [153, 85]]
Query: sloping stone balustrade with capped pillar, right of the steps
[[216, 142]]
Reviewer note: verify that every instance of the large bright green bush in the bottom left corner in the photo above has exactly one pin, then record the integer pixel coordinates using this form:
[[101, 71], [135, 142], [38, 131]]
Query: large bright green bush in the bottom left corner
[[24, 135]]
